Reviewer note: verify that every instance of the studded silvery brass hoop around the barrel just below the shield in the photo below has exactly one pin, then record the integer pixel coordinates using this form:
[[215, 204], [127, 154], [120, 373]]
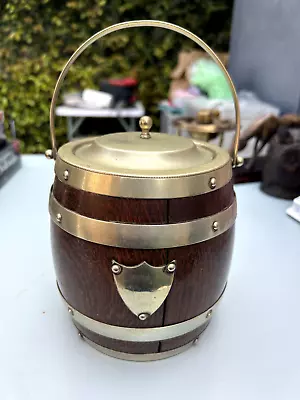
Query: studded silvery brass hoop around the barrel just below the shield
[[140, 334]]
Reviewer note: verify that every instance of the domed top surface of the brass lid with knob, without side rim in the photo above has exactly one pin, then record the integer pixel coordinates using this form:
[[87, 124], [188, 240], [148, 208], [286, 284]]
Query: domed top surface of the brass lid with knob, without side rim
[[143, 155]]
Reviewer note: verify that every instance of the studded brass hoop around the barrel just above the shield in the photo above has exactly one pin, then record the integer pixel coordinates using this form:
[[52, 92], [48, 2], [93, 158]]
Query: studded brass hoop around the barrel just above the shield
[[137, 236]]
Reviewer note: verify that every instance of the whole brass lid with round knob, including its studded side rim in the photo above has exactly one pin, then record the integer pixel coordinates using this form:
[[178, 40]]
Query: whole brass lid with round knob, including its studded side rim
[[140, 165]]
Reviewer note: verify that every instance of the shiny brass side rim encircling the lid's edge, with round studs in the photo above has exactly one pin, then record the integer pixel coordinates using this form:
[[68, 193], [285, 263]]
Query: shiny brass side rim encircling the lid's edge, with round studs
[[80, 177]]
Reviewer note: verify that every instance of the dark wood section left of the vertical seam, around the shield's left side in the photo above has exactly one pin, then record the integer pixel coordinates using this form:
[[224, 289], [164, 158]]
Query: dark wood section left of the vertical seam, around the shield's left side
[[84, 275]]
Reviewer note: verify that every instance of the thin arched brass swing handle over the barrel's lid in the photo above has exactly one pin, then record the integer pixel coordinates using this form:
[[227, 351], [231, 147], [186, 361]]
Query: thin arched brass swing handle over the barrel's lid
[[133, 24]]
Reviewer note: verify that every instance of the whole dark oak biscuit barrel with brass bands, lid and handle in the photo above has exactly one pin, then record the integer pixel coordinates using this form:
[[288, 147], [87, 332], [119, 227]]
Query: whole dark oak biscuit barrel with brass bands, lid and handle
[[142, 230]]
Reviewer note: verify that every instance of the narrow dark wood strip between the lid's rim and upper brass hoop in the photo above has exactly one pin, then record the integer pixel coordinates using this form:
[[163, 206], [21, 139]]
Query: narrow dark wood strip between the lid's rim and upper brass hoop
[[143, 211]]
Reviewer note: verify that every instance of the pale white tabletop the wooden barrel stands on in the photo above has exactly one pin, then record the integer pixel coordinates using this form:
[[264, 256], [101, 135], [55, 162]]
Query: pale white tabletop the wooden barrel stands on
[[251, 350]]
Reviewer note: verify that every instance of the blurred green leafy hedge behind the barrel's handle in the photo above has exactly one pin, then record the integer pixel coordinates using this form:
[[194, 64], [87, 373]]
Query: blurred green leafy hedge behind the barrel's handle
[[38, 36]]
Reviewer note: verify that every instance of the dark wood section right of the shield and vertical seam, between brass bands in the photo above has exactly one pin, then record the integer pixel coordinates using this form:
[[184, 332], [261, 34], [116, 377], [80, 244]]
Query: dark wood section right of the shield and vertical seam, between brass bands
[[200, 277]]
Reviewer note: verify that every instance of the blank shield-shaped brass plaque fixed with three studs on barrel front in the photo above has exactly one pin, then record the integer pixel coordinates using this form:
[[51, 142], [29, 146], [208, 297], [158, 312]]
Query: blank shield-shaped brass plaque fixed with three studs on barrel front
[[143, 287]]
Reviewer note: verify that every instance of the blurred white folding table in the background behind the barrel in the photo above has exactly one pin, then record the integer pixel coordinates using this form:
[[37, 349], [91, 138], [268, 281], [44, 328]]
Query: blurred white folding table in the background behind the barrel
[[75, 116]]
